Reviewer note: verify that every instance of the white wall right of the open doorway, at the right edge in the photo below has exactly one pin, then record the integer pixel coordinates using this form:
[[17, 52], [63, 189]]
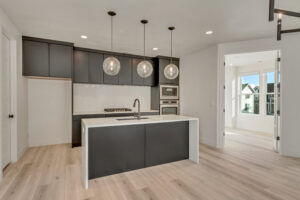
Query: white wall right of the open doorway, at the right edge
[[290, 111]]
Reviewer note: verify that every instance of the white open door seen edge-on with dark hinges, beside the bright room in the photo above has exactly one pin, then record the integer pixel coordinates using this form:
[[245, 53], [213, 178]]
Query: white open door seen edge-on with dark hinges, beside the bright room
[[277, 104]]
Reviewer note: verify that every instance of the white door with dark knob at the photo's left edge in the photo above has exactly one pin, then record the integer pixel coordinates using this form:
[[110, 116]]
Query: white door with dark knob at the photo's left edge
[[5, 102]]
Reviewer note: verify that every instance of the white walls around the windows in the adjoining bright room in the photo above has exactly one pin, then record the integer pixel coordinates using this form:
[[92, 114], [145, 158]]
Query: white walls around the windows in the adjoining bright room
[[233, 117]]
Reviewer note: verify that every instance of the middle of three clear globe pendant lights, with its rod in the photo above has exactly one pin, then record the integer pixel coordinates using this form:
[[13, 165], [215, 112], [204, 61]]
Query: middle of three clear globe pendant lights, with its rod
[[144, 68]]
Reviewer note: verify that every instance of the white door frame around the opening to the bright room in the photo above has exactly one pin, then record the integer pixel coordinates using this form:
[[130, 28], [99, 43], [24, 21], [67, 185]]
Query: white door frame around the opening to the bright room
[[259, 45]]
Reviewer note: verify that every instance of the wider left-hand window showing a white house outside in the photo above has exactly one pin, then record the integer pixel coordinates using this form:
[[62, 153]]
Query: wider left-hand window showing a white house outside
[[250, 90]]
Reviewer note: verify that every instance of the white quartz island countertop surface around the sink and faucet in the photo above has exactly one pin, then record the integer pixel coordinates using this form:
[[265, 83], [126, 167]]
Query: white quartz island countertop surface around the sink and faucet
[[113, 121]]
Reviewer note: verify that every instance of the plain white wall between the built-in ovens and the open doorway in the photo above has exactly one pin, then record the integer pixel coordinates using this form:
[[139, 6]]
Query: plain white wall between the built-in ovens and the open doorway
[[198, 91]]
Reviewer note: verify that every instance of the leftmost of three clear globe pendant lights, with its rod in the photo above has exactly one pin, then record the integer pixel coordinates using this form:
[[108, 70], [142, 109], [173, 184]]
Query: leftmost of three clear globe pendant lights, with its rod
[[111, 65]]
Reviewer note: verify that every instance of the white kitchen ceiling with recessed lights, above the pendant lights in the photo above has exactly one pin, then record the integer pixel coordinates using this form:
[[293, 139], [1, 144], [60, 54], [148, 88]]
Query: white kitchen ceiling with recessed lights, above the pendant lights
[[66, 20]]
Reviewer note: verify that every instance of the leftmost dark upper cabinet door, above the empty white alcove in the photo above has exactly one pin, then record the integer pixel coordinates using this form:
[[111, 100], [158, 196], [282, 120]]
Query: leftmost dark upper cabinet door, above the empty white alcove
[[35, 58]]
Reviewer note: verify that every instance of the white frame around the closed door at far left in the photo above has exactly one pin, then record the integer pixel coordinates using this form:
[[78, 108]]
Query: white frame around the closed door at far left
[[13, 94]]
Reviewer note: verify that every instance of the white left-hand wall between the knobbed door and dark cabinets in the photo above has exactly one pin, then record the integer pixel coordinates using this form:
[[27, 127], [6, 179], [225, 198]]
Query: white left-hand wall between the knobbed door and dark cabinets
[[19, 89]]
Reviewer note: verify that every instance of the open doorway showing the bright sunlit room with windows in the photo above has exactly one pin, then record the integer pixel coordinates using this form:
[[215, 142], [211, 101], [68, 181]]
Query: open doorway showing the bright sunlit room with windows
[[252, 93]]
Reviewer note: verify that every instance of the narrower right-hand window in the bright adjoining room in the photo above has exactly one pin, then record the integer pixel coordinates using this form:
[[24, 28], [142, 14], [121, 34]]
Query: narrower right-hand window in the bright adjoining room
[[270, 93]]
